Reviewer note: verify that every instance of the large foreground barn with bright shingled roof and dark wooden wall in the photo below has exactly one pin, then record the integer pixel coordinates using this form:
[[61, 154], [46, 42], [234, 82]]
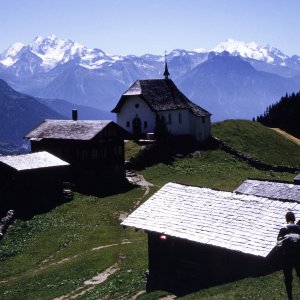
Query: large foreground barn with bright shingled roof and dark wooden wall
[[198, 237]]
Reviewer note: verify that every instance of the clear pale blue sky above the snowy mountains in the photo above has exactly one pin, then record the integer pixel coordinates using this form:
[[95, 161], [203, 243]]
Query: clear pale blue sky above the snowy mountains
[[152, 26]]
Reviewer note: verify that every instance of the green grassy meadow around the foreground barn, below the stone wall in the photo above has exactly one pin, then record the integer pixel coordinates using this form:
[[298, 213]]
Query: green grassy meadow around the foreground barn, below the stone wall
[[53, 254]]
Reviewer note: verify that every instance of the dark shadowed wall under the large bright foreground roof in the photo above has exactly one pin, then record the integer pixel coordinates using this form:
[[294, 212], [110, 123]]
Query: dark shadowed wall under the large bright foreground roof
[[182, 266]]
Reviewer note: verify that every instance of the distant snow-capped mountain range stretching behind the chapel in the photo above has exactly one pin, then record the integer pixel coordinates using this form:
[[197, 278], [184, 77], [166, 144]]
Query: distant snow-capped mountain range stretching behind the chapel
[[234, 80]]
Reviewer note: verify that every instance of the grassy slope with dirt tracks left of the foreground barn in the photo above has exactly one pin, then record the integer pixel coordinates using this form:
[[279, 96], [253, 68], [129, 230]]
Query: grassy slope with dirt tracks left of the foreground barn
[[53, 254]]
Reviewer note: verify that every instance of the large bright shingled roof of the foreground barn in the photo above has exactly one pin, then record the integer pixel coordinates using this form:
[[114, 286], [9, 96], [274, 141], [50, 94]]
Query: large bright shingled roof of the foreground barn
[[238, 222]]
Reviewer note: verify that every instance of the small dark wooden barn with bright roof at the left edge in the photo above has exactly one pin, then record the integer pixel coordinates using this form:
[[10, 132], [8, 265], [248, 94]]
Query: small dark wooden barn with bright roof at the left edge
[[31, 183]]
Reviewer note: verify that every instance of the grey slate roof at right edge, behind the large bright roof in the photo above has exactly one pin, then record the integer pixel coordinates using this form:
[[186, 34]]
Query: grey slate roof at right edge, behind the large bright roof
[[270, 189]]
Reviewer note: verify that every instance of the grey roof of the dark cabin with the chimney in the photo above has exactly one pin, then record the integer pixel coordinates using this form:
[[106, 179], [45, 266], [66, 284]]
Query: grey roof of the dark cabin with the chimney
[[69, 129]]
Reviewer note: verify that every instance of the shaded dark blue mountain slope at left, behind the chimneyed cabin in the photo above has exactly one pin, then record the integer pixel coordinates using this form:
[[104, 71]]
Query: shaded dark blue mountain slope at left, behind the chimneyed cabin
[[20, 113]]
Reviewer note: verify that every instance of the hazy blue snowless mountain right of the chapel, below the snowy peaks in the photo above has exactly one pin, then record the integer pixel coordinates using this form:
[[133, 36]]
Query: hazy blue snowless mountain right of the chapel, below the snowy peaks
[[228, 86]]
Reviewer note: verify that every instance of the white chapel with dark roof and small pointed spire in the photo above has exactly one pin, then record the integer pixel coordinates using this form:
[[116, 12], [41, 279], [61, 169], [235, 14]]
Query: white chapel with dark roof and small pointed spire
[[146, 100]]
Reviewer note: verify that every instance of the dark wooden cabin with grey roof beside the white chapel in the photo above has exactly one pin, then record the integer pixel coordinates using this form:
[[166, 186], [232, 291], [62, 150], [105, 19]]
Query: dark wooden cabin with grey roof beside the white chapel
[[94, 149]]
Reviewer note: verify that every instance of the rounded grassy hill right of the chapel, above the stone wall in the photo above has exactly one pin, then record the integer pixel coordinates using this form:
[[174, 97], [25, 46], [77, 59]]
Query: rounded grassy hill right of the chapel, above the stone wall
[[258, 141]]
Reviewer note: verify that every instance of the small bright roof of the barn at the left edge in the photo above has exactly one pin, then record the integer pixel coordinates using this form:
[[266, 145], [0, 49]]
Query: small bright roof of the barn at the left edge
[[31, 161]]
